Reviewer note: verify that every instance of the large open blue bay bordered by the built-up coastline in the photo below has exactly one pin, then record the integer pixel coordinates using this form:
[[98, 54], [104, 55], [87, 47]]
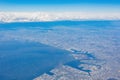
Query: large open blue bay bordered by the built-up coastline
[[27, 60]]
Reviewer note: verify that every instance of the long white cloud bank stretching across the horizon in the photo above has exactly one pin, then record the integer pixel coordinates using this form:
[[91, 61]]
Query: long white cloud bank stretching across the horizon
[[53, 16]]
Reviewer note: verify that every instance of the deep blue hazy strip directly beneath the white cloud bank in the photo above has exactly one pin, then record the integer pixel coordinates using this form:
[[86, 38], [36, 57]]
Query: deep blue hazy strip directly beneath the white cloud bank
[[85, 24]]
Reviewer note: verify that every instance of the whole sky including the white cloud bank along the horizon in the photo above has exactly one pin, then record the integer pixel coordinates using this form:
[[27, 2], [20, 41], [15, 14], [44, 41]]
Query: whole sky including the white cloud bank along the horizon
[[61, 9]]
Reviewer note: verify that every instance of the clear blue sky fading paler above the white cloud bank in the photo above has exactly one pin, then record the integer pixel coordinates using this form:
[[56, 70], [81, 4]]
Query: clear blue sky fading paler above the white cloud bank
[[60, 5]]
